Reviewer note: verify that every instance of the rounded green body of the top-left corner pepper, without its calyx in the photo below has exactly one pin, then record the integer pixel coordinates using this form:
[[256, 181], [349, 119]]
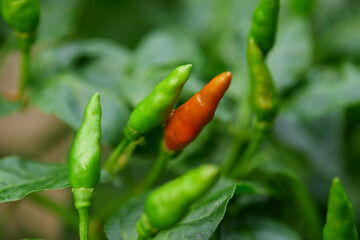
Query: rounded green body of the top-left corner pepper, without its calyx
[[21, 15]]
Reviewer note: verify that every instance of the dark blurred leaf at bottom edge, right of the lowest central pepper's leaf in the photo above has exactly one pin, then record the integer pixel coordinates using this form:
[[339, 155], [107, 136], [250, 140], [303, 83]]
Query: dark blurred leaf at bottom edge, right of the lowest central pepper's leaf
[[258, 229]]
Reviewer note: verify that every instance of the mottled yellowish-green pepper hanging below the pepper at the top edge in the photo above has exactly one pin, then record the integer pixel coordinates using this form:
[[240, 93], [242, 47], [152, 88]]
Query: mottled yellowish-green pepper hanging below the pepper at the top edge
[[263, 95]]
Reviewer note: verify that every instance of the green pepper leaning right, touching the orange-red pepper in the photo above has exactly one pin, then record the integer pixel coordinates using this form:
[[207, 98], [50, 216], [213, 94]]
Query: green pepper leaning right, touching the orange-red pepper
[[155, 109]]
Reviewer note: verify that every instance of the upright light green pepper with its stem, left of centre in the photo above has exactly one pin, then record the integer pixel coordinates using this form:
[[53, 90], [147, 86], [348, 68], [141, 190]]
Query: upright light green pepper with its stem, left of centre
[[84, 162]]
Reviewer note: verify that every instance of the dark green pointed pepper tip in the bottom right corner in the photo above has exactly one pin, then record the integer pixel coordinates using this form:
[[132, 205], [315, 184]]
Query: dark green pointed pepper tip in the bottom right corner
[[340, 219]]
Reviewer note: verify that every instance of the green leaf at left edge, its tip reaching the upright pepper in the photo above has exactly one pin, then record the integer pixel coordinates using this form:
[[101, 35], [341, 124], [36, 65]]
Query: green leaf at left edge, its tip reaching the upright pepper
[[20, 177]]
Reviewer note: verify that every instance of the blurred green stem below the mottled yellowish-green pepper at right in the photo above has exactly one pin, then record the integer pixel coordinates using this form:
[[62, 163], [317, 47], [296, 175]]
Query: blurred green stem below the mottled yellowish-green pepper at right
[[241, 168]]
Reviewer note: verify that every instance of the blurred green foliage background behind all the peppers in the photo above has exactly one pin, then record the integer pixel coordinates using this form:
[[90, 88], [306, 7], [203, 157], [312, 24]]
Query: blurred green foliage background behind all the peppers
[[124, 48]]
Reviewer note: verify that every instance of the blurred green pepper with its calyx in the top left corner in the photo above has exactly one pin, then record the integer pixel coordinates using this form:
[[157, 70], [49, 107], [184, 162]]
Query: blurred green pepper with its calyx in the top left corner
[[23, 16]]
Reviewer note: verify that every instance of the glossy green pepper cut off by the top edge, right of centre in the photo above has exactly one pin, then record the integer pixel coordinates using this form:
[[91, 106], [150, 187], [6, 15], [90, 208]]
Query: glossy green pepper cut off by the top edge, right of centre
[[264, 24]]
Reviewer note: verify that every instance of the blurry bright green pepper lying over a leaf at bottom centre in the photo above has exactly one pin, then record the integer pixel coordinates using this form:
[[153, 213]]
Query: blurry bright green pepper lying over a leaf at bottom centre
[[168, 204]]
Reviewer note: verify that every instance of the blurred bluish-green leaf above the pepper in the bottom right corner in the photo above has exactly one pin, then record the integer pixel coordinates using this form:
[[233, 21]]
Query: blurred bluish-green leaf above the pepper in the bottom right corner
[[320, 141]]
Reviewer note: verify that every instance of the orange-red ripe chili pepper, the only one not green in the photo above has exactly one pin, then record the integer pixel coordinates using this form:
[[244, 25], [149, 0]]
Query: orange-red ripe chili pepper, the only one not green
[[190, 118]]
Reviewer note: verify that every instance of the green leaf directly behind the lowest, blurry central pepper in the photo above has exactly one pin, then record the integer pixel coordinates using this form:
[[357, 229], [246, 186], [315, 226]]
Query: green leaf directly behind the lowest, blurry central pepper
[[200, 223]]
